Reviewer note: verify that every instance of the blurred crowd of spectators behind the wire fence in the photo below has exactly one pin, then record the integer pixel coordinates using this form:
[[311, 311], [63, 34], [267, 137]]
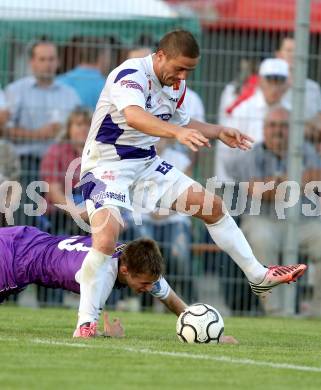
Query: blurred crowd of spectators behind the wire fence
[[45, 118]]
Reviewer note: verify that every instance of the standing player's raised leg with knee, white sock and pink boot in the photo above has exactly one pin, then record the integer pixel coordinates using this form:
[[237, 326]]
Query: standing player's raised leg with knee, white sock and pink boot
[[227, 235]]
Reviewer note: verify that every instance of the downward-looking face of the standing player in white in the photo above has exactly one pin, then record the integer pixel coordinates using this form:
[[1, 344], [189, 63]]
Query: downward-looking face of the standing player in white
[[171, 70]]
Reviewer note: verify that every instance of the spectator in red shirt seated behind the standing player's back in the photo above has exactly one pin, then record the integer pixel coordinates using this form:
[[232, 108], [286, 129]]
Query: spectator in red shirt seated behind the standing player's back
[[53, 170]]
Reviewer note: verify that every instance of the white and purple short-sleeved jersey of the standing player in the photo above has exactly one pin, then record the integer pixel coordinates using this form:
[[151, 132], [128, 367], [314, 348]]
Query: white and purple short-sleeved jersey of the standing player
[[133, 83]]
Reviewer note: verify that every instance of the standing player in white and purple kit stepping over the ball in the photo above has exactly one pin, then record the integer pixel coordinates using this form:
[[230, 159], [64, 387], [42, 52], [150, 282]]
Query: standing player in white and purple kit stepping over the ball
[[143, 99]]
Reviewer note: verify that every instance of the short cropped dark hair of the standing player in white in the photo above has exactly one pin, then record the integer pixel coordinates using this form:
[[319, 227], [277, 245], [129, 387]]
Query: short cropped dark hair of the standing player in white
[[179, 42]]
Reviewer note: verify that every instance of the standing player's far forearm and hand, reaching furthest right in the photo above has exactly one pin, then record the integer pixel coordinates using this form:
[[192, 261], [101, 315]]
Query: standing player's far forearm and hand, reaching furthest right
[[231, 137]]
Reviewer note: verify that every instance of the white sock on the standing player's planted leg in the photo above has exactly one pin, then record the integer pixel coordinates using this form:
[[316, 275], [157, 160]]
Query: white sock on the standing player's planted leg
[[92, 278]]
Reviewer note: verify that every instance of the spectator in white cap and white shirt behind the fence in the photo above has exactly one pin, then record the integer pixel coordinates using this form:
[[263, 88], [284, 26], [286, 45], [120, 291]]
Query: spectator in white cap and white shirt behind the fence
[[249, 115]]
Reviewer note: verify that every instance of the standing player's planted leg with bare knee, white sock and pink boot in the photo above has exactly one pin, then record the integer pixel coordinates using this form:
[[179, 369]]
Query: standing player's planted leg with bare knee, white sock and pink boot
[[105, 231]]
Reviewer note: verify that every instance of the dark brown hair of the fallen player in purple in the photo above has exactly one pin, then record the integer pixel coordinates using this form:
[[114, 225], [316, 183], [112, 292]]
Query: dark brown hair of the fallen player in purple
[[142, 256]]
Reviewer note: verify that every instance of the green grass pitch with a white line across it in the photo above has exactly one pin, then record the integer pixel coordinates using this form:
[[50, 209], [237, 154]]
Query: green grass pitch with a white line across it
[[37, 352]]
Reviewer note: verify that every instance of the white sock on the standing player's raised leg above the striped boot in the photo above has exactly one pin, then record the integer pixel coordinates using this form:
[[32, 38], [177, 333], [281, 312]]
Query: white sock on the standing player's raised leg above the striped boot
[[230, 239]]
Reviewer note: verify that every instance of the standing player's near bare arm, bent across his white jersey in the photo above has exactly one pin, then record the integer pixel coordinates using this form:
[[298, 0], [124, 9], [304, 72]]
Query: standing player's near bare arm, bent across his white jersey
[[139, 119]]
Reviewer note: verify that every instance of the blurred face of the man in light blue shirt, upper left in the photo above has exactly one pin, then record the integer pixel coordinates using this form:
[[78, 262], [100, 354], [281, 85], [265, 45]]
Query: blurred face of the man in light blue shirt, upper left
[[44, 62]]
